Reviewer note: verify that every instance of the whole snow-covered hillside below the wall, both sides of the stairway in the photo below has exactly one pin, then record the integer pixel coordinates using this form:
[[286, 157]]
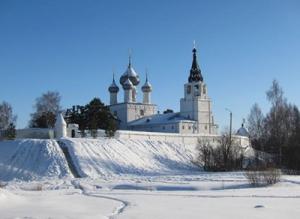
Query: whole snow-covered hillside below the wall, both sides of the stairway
[[96, 158]]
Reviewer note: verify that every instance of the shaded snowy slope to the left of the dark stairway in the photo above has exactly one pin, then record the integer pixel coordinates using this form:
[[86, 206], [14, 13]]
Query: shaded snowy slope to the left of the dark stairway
[[31, 159]]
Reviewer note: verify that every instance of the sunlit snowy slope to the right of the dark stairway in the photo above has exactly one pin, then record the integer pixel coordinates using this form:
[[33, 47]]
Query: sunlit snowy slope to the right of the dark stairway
[[108, 157]]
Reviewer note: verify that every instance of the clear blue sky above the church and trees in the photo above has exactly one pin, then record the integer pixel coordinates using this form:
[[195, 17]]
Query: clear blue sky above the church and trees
[[74, 46]]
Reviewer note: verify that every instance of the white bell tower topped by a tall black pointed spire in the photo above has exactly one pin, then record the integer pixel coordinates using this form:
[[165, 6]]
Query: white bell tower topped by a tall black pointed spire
[[196, 105]]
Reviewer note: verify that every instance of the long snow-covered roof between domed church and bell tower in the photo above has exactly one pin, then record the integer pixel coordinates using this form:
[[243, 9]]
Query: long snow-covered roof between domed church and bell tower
[[159, 119]]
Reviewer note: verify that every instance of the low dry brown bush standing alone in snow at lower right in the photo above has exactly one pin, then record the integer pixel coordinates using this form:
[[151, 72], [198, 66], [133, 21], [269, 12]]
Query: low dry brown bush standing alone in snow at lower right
[[263, 177]]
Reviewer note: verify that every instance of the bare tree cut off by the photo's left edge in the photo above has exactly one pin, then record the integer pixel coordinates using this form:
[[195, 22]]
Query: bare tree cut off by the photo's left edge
[[6, 115]]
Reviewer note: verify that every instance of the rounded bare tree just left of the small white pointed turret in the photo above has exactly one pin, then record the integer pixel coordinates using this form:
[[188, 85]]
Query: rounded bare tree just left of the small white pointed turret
[[46, 108]]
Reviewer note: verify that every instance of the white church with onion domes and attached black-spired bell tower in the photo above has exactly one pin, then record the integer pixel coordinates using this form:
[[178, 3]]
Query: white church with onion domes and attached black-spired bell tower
[[195, 116]]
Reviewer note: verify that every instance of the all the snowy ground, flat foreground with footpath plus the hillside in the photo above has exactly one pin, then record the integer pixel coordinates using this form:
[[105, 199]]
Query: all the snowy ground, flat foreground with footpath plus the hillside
[[126, 180]]
